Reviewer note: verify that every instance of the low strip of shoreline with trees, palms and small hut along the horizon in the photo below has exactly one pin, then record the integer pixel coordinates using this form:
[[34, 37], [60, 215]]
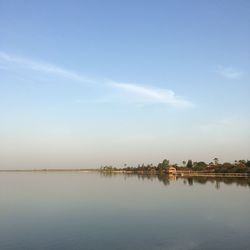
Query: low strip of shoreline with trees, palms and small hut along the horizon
[[240, 168]]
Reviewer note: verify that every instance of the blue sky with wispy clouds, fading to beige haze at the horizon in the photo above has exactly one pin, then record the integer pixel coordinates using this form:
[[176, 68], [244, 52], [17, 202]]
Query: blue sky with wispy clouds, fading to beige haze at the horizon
[[94, 83]]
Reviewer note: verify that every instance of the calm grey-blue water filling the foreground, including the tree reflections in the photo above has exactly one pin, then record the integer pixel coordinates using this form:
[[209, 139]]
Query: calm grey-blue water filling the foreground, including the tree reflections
[[93, 211]]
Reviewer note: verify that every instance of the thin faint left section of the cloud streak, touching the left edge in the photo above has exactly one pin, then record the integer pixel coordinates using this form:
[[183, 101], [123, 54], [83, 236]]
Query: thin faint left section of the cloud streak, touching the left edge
[[43, 67]]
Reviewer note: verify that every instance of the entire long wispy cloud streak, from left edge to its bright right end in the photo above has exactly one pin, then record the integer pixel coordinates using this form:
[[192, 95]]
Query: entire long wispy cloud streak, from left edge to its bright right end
[[132, 92]]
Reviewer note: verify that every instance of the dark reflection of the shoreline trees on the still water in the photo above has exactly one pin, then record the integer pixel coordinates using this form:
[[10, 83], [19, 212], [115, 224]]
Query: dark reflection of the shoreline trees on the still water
[[189, 181]]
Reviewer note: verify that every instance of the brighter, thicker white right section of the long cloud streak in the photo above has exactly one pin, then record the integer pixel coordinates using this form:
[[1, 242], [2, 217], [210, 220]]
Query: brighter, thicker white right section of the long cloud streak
[[152, 95]]
